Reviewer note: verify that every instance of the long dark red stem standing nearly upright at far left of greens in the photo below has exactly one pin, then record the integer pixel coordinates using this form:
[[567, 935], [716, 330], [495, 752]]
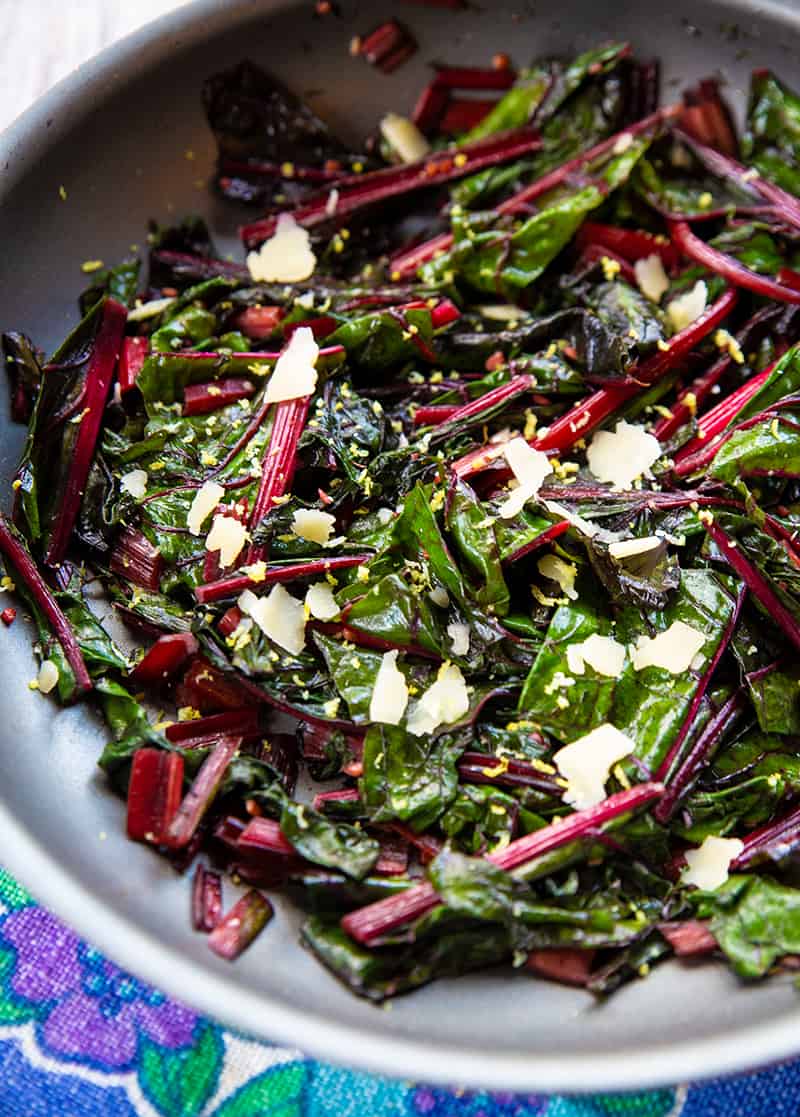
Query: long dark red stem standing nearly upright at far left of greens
[[100, 375]]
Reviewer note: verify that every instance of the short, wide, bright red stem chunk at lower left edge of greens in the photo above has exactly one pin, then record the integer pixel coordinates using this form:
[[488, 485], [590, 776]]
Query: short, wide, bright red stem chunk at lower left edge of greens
[[154, 794]]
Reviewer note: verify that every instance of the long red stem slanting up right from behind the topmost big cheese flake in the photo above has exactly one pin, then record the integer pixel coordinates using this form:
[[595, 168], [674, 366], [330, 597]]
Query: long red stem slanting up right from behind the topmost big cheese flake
[[358, 192]]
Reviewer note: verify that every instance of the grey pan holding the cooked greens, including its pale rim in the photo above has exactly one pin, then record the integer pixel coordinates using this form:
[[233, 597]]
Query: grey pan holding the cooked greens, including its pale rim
[[116, 136]]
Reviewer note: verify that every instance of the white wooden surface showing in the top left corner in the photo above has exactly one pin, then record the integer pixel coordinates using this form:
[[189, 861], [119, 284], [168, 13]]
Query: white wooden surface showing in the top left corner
[[43, 41]]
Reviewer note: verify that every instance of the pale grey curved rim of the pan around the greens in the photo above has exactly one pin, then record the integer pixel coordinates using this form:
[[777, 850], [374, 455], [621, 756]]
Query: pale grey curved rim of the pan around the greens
[[259, 1015]]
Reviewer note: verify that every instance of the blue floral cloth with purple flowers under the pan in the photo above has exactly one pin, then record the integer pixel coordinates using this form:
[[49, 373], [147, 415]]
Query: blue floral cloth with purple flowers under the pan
[[80, 1038]]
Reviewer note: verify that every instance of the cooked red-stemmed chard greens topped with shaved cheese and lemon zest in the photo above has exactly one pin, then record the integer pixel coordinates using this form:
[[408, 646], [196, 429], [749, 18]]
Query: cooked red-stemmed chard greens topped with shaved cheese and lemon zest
[[451, 530]]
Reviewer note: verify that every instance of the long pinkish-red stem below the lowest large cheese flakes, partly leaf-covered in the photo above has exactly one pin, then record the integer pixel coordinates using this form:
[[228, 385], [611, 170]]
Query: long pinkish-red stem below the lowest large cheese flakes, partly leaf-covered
[[370, 923]]
